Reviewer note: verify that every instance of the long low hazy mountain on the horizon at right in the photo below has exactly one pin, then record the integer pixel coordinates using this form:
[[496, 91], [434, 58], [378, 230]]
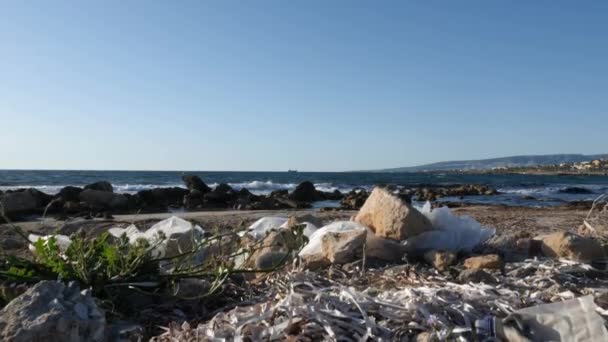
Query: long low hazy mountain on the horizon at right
[[485, 164]]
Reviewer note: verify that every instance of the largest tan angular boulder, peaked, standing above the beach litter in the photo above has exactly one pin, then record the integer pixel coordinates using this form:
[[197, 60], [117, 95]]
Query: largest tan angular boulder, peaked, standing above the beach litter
[[391, 217]]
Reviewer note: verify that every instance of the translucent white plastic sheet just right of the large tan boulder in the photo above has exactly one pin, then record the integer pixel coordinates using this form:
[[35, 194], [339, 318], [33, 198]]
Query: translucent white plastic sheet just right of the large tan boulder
[[452, 233]]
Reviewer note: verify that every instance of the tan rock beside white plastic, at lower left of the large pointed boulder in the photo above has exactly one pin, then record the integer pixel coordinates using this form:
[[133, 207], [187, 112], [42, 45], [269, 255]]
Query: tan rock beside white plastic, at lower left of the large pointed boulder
[[343, 247]]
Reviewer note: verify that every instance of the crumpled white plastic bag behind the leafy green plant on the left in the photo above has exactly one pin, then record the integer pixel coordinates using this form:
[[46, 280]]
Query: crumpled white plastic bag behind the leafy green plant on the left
[[179, 236]]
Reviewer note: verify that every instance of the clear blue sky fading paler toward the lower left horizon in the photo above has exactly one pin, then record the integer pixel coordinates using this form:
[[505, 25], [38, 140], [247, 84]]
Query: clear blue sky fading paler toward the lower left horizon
[[311, 85]]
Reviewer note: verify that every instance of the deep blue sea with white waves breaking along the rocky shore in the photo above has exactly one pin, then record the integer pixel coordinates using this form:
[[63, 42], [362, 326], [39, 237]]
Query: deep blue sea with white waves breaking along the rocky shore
[[515, 189]]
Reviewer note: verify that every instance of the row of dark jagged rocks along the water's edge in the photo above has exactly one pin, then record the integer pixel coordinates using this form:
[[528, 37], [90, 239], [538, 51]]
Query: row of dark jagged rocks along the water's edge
[[100, 200]]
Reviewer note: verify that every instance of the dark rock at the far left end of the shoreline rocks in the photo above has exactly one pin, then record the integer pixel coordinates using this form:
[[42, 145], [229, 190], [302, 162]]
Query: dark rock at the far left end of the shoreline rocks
[[22, 202]]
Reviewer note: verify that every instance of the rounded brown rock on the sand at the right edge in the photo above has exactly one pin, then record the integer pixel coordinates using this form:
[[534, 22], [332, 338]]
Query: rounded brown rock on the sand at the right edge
[[571, 246]]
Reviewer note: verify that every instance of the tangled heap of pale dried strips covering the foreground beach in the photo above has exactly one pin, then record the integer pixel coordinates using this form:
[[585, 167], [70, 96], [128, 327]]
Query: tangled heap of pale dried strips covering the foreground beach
[[401, 303]]
